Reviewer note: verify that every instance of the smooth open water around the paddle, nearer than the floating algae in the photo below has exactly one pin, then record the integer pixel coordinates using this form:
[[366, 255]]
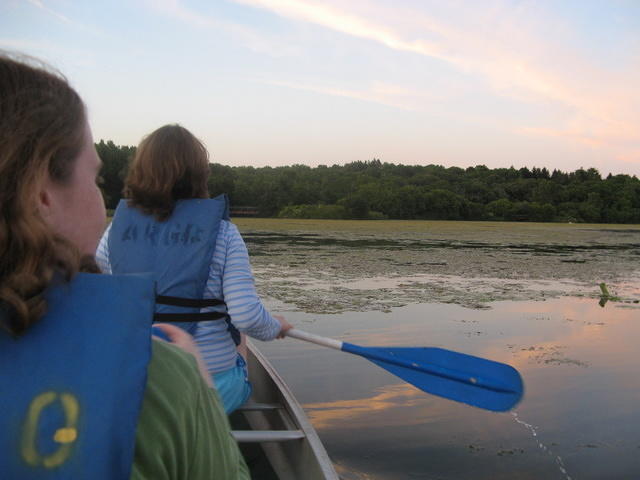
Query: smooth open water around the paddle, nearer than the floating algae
[[579, 363]]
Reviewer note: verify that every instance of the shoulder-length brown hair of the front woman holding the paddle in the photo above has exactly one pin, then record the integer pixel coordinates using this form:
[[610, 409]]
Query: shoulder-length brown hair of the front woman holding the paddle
[[170, 164]]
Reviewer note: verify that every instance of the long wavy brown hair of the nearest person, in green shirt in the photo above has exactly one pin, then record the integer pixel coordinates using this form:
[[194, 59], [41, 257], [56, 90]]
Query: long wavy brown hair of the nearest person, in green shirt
[[41, 134]]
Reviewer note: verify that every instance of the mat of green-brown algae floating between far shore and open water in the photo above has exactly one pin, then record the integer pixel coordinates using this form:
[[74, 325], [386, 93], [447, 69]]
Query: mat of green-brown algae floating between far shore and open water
[[334, 266]]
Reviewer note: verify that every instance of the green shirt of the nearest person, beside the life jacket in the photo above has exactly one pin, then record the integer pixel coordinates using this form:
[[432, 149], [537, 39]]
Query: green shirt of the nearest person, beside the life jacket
[[183, 432]]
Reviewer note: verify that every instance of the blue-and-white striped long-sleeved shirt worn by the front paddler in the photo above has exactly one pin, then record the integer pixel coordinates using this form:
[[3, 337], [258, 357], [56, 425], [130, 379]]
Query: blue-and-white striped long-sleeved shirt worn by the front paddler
[[230, 279]]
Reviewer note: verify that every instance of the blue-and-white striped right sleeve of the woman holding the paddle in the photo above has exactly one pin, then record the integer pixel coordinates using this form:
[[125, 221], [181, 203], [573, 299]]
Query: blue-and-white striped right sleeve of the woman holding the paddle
[[245, 308]]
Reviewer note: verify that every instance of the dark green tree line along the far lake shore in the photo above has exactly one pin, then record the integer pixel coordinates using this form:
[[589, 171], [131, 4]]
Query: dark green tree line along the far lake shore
[[376, 190]]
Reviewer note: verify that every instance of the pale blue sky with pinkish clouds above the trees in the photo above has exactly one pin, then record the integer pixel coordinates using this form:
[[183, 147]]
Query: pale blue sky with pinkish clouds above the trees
[[538, 83]]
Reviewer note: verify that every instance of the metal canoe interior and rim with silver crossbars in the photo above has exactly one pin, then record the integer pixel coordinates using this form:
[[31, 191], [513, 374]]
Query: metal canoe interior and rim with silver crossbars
[[273, 431]]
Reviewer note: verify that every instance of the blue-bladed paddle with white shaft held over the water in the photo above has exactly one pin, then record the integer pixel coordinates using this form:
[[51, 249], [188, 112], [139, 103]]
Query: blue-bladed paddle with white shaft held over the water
[[456, 376]]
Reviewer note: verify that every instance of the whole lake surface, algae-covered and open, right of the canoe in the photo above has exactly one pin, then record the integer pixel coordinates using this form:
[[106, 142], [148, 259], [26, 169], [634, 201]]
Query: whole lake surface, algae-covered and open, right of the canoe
[[527, 296]]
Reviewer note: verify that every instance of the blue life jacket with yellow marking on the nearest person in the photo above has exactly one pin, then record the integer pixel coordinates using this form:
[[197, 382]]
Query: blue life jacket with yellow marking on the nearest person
[[72, 384]]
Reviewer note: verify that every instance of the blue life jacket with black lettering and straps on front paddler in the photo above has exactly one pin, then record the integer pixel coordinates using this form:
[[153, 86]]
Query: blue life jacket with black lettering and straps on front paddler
[[177, 251]]
